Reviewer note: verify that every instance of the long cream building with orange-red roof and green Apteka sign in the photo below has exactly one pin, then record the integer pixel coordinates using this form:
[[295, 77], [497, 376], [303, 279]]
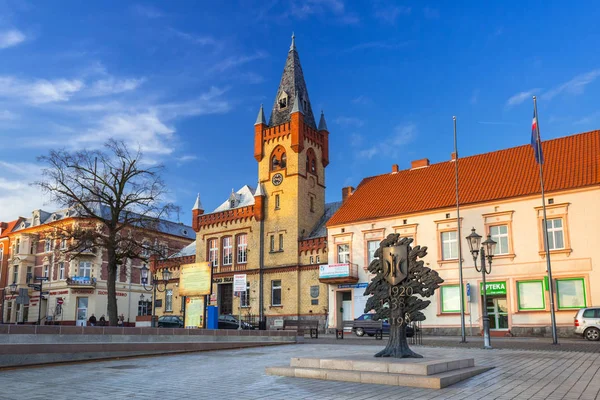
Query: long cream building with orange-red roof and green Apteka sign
[[500, 196]]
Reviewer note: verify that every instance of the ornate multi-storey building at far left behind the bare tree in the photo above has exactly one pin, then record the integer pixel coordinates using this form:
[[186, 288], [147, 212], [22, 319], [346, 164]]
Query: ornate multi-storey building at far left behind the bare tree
[[76, 286]]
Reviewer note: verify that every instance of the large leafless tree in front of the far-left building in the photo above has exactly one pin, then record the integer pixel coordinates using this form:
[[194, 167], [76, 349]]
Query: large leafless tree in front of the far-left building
[[116, 199]]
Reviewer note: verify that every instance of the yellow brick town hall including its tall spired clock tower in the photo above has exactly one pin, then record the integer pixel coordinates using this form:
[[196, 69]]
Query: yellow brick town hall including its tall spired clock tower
[[274, 232]]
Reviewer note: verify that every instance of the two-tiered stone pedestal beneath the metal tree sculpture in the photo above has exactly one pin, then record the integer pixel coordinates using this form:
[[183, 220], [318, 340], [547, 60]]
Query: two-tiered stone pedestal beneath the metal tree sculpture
[[423, 373]]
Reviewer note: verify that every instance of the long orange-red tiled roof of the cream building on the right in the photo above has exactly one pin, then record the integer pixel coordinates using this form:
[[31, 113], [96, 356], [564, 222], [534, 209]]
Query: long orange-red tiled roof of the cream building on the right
[[570, 162]]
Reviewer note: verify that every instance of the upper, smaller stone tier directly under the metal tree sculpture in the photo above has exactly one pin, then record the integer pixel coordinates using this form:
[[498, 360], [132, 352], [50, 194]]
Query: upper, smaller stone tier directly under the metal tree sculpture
[[406, 366]]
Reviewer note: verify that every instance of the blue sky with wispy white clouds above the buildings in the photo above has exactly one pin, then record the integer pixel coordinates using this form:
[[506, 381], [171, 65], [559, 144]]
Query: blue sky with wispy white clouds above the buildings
[[185, 81]]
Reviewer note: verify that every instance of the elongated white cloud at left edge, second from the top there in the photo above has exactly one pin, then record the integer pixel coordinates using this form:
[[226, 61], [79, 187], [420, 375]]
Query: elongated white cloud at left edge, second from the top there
[[39, 91]]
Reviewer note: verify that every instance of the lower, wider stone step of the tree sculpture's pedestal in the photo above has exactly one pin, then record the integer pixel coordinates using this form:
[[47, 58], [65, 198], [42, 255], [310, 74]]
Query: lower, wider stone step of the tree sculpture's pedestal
[[436, 381]]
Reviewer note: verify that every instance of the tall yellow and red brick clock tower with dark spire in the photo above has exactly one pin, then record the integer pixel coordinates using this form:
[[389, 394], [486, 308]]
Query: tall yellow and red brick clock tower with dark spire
[[292, 152]]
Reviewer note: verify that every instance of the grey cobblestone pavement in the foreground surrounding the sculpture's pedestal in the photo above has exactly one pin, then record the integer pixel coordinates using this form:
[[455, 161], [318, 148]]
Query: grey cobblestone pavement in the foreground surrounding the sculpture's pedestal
[[240, 374]]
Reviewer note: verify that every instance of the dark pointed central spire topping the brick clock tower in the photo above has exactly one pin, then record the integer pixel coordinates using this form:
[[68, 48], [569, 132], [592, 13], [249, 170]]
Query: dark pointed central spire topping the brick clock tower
[[292, 90]]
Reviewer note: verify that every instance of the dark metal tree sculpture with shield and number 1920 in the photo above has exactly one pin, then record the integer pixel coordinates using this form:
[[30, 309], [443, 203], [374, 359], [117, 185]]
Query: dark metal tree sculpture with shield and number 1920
[[399, 277]]
